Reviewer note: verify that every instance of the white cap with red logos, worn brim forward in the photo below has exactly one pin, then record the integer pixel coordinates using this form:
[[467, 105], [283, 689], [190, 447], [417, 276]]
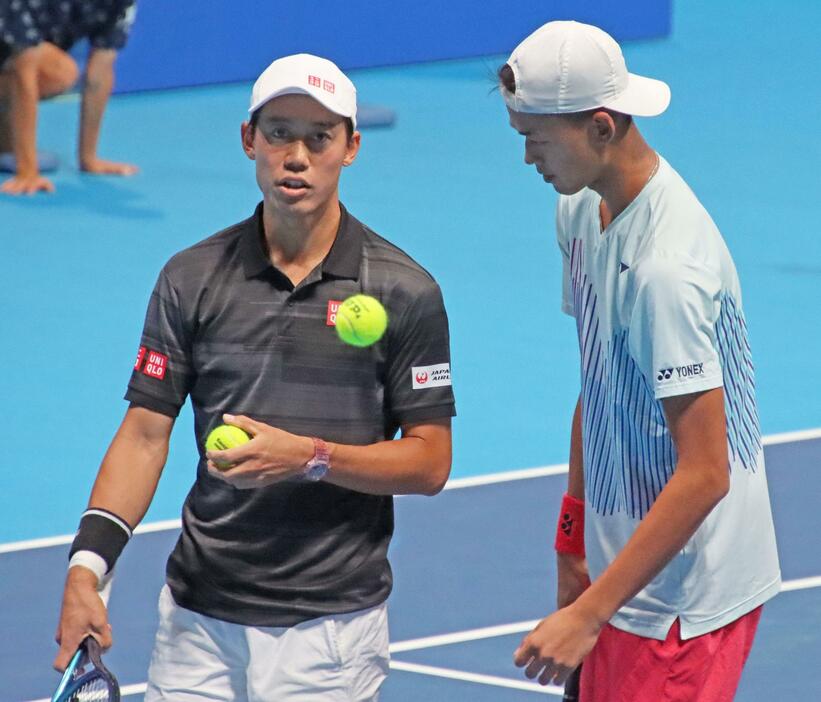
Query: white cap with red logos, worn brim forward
[[308, 75]]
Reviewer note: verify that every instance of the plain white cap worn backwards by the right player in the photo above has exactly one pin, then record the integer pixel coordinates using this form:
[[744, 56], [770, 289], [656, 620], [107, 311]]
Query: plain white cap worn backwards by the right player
[[568, 67]]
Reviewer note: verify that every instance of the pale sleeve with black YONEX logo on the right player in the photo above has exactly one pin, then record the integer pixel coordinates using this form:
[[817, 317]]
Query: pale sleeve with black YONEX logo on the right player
[[672, 333]]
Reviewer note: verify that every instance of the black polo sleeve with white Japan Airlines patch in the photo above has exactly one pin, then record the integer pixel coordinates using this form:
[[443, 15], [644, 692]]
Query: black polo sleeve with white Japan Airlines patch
[[418, 374]]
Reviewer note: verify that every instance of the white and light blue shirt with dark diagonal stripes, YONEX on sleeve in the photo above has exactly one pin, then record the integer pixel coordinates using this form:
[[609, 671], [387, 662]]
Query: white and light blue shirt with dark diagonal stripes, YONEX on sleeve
[[658, 311]]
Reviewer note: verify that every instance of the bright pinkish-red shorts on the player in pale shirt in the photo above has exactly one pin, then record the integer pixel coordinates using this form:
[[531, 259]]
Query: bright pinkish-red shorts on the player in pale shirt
[[624, 667]]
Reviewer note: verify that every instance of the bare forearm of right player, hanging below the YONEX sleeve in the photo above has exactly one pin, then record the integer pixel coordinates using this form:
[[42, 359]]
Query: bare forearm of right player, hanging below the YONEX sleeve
[[680, 509]]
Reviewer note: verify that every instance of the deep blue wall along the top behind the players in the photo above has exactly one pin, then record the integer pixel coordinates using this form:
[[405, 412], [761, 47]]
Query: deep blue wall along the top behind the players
[[193, 42]]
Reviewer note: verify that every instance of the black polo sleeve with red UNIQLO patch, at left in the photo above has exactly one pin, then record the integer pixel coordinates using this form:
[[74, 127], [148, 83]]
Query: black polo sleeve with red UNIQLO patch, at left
[[163, 374]]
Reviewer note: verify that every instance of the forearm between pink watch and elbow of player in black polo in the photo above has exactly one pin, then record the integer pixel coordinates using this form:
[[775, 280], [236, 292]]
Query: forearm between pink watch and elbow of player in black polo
[[414, 464]]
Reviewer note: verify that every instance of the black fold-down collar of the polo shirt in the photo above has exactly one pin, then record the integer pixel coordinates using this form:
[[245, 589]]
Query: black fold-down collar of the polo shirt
[[342, 260]]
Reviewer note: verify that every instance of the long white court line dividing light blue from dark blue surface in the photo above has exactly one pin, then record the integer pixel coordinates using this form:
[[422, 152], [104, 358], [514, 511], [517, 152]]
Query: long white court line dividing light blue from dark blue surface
[[455, 484]]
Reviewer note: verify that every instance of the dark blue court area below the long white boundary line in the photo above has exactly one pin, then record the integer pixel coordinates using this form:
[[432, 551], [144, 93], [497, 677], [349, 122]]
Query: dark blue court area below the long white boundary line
[[473, 571]]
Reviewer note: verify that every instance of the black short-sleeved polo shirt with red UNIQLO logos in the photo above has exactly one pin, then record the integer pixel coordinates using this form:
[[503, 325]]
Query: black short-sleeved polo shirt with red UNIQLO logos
[[229, 330]]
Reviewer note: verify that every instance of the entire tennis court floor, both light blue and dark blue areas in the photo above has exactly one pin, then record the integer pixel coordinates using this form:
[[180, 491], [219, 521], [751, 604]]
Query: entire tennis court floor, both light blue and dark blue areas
[[447, 184]]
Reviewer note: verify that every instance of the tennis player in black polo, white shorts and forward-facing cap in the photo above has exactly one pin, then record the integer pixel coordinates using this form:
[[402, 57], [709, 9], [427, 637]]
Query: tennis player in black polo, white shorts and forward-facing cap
[[276, 588]]
